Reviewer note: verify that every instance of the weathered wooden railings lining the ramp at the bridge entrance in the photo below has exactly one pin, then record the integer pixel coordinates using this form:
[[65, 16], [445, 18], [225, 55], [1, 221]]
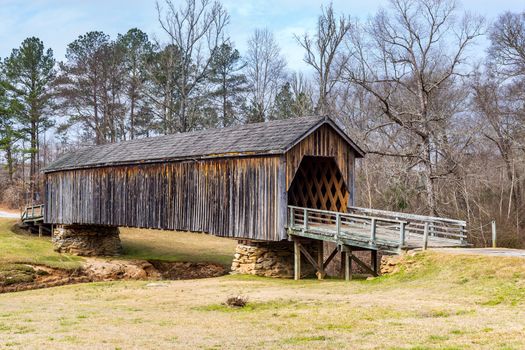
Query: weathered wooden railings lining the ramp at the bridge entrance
[[374, 231]]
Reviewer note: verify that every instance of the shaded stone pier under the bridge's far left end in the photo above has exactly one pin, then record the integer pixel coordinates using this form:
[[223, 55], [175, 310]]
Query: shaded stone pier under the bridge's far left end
[[87, 240]]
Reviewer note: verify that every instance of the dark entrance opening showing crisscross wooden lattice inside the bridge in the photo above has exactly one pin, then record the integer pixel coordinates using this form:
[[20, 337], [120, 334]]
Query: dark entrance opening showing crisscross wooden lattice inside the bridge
[[318, 184]]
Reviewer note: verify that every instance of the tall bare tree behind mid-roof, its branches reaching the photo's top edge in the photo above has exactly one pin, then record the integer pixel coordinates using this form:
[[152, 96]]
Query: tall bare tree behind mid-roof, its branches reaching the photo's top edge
[[196, 29]]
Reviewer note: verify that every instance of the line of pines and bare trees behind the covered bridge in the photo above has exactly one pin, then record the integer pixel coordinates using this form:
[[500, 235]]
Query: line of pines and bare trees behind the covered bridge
[[442, 120]]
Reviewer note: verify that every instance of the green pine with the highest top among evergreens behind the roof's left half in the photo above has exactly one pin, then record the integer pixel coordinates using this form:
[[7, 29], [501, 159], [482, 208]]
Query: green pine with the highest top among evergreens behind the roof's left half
[[136, 49]]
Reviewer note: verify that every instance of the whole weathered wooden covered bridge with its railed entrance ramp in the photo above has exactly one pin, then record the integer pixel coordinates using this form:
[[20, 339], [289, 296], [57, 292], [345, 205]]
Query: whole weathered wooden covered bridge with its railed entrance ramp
[[264, 184]]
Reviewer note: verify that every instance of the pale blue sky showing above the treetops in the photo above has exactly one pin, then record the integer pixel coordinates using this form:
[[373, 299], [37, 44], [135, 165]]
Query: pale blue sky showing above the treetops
[[58, 22]]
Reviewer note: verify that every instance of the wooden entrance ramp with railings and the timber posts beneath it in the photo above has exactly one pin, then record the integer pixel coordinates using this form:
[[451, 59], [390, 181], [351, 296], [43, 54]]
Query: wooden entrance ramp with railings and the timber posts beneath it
[[369, 230]]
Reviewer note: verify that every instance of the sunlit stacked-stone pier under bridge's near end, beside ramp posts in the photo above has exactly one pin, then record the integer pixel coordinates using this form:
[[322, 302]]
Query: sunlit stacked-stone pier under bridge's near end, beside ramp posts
[[270, 259]]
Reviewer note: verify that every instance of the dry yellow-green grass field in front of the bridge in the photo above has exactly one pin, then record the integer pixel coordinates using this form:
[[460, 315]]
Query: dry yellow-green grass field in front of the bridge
[[436, 301]]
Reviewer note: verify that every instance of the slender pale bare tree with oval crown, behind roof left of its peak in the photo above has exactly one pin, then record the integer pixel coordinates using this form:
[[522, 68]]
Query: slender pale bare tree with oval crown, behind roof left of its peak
[[265, 71]]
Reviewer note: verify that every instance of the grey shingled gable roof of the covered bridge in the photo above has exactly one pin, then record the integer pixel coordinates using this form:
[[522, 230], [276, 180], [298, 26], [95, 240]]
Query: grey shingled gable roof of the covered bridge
[[273, 137]]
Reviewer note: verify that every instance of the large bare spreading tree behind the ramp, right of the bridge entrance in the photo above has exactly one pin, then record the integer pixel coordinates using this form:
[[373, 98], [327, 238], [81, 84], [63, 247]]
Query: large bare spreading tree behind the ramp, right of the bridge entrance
[[406, 59]]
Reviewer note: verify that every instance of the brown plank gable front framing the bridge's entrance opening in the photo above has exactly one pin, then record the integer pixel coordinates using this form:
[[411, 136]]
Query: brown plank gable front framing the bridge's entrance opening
[[326, 142]]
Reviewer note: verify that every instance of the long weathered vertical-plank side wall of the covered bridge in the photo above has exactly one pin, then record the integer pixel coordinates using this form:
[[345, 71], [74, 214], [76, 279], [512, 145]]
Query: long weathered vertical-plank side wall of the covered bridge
[[233, 197]]
